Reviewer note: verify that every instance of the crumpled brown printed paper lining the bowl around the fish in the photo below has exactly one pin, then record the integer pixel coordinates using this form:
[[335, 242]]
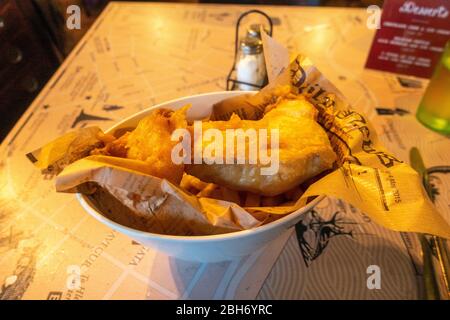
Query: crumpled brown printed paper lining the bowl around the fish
[[368, 177]]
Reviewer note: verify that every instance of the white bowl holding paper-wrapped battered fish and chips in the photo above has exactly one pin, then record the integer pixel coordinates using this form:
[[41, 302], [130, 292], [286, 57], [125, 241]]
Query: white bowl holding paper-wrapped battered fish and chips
[[200, 248]]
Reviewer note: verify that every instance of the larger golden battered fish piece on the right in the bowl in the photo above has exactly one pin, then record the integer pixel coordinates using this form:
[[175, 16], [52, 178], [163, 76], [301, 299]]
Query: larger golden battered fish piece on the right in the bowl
[[303, 152]]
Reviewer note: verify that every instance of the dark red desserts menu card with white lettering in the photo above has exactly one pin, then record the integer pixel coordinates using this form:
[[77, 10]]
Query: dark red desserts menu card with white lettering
[[411, 38]]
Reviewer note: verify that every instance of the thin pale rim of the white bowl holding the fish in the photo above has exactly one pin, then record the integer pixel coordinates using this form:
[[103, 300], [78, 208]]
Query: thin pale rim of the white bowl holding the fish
[[86, 202]]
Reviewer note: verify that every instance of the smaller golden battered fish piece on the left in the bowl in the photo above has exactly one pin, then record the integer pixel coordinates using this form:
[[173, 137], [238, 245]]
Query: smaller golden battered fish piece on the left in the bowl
[[151, 142]]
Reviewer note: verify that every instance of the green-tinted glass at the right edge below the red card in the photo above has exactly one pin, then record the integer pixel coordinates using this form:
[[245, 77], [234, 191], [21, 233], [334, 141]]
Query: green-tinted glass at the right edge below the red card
[[434, 109]]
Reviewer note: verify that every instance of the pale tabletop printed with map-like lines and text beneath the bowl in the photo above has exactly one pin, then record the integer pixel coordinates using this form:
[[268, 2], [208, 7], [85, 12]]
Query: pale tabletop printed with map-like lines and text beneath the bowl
[[140, 54]]
